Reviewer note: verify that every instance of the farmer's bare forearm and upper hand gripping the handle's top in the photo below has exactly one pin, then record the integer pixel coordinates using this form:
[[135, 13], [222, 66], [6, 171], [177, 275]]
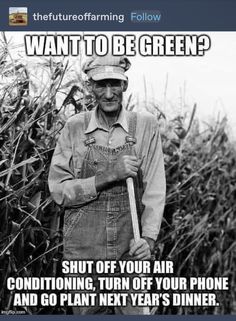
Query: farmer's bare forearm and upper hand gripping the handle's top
[[125, 166]]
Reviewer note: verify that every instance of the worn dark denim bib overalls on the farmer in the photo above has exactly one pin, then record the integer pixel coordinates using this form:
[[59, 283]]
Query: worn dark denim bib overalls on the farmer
[[102, 228]]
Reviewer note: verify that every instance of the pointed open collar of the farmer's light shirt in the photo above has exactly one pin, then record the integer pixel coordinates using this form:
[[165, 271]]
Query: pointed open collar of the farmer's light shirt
[[94, 123]]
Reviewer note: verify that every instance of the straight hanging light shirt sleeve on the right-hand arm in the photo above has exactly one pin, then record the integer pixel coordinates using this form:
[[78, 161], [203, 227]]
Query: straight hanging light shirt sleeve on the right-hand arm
[[154, 185]]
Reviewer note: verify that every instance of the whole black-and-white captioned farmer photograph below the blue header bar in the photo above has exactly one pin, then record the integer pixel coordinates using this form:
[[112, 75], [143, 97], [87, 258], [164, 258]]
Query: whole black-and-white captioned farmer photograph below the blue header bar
[[118, 173]]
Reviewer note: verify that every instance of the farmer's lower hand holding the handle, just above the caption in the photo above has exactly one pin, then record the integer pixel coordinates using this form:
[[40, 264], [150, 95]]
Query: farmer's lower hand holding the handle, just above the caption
[[140, 250]]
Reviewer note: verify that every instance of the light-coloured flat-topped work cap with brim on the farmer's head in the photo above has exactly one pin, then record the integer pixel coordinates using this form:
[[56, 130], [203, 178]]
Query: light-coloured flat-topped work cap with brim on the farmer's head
[[106, 67]]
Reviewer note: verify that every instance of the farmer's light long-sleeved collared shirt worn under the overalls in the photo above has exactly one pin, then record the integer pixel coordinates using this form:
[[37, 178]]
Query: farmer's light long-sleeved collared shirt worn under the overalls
[[69, 190]]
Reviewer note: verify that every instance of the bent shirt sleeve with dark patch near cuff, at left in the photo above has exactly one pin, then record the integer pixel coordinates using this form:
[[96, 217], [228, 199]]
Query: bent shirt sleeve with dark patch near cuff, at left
[[66, 189]]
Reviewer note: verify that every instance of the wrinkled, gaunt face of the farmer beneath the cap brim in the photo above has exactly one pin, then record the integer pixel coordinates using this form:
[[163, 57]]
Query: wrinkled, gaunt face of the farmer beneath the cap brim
[[109, 94]]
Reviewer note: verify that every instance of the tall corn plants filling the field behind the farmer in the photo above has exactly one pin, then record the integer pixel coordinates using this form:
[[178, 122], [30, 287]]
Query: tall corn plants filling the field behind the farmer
[[199, 227]]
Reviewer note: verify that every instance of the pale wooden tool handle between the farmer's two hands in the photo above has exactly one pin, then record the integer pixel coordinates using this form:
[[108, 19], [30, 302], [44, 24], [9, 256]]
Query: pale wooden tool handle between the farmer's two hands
[[133, 209]]
